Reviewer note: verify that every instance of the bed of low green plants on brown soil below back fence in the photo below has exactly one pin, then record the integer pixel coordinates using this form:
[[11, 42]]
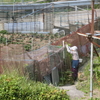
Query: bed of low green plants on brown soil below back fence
[[31, 40]]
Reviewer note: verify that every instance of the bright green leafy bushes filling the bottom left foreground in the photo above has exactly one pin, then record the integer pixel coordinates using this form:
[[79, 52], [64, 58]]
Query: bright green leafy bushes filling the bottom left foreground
[[15, 87]]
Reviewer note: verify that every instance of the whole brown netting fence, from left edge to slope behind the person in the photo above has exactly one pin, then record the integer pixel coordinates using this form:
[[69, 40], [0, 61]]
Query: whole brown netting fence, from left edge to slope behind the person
[[40, 63]]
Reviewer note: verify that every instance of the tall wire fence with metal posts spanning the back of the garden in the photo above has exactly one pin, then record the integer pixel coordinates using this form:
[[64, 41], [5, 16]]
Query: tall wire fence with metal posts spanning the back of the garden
[[44, 18]]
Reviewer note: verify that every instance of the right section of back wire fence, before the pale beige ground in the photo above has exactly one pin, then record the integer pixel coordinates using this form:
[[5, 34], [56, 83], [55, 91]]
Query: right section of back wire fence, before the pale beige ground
[[72, 15]]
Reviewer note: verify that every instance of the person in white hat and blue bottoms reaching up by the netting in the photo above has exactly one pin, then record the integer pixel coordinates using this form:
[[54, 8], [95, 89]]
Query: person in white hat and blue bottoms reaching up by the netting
[[75, 60]]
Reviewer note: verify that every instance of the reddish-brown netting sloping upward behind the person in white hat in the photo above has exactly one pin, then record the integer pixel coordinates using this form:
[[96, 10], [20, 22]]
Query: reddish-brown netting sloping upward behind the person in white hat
[[82, 43]]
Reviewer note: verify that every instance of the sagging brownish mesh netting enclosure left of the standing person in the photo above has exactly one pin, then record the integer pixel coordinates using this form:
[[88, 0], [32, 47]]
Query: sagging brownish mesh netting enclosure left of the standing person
[[39, 64]]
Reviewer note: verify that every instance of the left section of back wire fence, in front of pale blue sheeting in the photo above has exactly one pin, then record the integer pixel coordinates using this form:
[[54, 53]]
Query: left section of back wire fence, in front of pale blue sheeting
[[27, 20]]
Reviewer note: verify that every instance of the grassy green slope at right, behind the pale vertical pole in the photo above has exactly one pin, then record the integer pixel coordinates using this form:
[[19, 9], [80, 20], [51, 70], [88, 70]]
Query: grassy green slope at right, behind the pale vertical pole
[[84, 85]]
